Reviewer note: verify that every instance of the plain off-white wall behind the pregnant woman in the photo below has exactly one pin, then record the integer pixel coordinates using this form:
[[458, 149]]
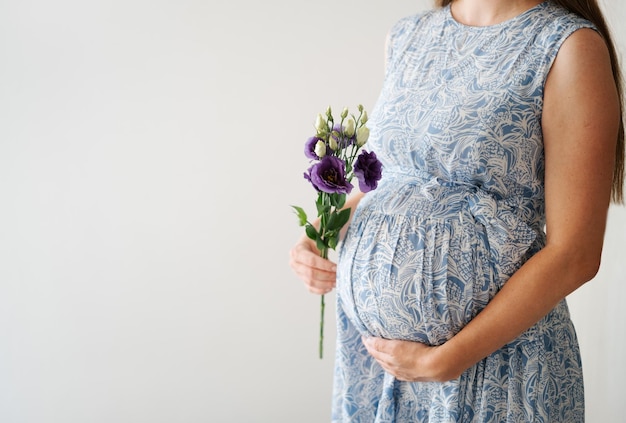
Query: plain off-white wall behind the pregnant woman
[[149, 152]]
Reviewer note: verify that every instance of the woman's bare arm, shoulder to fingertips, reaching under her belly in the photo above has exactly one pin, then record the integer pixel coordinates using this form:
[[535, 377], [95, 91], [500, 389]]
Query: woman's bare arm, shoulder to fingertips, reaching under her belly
[[580, 123]]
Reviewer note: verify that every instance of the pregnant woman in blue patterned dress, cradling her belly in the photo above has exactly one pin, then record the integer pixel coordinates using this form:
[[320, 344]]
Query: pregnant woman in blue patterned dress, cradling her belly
[[499, 129]]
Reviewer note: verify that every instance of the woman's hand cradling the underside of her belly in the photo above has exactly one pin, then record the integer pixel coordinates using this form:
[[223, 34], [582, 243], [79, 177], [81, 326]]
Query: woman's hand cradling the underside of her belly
[[408, 361]]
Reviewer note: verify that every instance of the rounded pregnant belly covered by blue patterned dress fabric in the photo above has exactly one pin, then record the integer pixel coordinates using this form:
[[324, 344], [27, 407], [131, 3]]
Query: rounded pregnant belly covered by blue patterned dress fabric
[[414, 278]]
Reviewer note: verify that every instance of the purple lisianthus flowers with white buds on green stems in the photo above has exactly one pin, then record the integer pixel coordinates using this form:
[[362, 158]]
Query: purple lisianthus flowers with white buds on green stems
[[337, 156]]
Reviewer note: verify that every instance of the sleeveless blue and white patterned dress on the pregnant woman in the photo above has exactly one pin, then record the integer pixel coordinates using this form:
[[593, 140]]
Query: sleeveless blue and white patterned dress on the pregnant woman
[[459, 209]]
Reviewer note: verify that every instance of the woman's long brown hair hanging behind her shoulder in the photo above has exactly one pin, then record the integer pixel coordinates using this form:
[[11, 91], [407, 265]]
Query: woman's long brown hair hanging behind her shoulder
[[589, 9]]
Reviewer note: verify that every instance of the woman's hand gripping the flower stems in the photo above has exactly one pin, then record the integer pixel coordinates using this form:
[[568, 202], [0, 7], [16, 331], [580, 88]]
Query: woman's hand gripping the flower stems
[[318, 274]]
